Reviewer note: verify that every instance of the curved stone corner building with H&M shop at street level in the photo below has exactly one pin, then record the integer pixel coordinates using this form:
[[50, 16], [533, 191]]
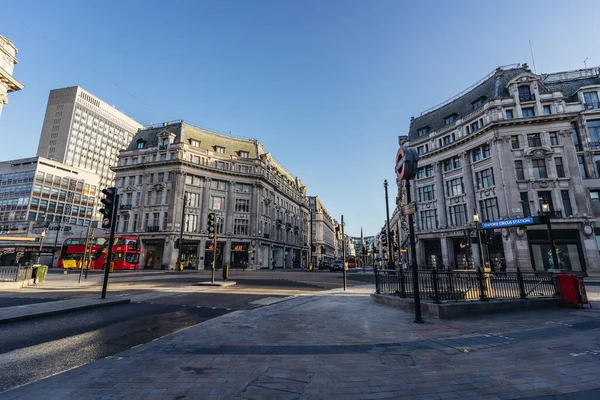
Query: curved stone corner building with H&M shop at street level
[[261, 208]]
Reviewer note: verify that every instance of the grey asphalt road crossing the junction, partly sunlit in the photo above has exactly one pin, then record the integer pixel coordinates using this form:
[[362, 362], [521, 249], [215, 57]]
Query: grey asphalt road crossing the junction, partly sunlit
[[34, 349]]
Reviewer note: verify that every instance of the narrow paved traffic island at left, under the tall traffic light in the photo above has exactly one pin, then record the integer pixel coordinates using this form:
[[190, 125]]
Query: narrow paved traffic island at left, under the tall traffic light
[[36, 310]]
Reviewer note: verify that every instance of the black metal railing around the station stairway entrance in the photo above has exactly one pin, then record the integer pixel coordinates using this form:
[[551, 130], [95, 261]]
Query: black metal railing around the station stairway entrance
[[467, 284]]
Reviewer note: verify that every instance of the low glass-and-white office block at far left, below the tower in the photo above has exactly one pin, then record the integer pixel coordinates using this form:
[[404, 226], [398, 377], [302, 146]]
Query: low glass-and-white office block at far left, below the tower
[[37, 194]]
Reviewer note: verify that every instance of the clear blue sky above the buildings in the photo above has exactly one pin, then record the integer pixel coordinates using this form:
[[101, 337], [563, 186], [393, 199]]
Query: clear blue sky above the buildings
[[326, 85]]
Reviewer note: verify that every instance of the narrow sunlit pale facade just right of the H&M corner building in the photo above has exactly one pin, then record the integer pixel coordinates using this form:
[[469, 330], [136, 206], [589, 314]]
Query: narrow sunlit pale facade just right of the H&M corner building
[[323, 233]]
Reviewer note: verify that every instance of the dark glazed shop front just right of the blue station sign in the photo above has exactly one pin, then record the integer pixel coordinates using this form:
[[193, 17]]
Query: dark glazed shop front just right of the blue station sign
[[568, 250]]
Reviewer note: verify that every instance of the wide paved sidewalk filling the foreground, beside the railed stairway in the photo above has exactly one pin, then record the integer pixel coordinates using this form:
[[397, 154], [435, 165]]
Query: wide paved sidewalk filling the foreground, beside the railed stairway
[[335, 345]]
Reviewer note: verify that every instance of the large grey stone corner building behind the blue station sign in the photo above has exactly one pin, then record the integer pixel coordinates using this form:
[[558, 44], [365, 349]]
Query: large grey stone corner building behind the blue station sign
[[500, 149]]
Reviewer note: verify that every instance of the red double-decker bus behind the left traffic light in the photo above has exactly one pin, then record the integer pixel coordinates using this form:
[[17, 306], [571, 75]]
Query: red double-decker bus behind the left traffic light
[[126, 253]]
